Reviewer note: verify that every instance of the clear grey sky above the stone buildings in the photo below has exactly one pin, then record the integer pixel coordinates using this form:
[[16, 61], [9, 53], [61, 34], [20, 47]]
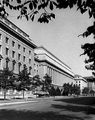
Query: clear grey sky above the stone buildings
[[60, 36]]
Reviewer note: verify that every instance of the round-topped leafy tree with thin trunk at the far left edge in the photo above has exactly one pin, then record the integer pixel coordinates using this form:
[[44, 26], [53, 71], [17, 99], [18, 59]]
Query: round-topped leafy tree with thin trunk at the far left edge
[[6, 80]]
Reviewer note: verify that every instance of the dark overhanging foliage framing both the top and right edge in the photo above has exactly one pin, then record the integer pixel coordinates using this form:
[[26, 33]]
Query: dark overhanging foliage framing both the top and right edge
[[30, 8]]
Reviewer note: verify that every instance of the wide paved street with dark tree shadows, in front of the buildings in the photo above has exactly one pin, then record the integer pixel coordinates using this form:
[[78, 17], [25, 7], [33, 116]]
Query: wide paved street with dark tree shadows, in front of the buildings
[[51, 109]]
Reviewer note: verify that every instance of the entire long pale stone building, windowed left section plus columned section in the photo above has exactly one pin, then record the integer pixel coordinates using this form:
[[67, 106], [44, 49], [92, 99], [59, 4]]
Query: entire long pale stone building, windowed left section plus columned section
[[17, 50]]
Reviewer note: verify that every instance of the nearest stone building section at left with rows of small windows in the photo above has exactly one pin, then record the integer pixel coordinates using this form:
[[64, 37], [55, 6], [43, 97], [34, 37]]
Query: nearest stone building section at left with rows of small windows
[[16, 48]]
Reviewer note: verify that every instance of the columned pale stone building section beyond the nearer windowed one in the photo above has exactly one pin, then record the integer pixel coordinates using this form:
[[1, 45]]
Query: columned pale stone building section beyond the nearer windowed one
[[47, 63]]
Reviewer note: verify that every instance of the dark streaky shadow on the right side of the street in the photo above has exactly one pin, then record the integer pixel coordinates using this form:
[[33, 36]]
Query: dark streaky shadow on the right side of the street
[[82, 104]]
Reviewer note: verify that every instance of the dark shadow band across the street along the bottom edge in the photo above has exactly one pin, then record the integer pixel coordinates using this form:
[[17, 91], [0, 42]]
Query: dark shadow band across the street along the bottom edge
[[31, 115]]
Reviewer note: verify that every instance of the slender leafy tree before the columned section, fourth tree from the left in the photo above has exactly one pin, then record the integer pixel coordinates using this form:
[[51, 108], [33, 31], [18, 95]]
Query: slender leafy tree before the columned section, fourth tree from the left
[[46, 83]]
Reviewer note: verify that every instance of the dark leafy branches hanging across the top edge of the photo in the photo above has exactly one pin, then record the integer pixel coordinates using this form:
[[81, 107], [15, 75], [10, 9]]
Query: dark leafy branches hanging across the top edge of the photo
[[30, 8]]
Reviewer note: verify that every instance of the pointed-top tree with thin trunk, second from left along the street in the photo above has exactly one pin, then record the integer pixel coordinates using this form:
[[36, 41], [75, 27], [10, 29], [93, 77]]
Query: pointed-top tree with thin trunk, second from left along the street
[[24, 80]]
